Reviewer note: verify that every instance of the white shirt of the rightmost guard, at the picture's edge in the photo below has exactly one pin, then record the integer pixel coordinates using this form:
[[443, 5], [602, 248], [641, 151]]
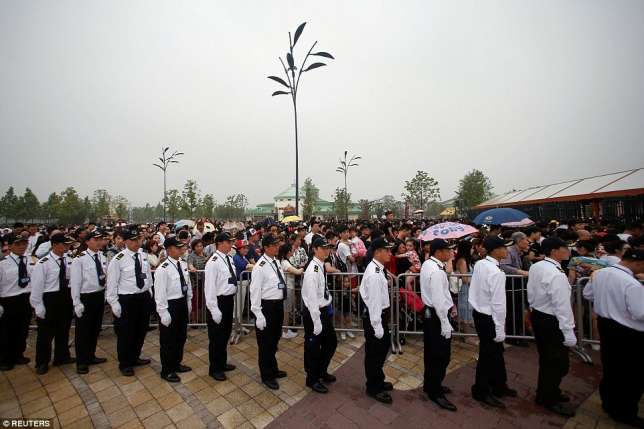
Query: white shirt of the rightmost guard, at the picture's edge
[[618, 296]]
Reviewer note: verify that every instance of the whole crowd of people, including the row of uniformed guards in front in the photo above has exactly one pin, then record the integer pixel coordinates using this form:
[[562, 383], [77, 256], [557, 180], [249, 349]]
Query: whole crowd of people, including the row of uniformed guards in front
[[286, 271]]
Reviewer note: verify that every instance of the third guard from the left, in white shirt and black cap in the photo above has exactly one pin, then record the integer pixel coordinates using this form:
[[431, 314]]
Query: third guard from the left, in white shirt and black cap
[[87, 281]]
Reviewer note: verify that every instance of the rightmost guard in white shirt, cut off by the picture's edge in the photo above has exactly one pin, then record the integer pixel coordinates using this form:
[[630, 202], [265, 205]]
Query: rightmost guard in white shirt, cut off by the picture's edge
[[619, 303]]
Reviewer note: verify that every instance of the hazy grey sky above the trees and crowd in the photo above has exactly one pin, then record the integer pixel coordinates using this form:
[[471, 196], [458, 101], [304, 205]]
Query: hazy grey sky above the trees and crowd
[[528, 92]]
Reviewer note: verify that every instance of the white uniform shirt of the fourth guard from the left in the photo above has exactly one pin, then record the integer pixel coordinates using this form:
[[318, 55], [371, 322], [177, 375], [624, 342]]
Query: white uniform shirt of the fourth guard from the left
[[121, 275]]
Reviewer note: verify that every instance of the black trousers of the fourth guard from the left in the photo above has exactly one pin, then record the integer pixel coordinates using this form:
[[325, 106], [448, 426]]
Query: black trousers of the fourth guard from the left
[[132, 327]]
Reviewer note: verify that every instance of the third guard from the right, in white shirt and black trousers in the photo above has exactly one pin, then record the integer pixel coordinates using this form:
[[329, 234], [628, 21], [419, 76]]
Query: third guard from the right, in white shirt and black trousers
[[487, 298]]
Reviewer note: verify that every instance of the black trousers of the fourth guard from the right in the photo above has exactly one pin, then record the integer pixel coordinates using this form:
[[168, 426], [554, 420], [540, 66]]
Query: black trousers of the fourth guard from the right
[[437, 353]]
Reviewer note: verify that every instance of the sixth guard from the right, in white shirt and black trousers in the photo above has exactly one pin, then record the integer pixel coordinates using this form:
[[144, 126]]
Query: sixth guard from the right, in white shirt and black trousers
[[320, 341]]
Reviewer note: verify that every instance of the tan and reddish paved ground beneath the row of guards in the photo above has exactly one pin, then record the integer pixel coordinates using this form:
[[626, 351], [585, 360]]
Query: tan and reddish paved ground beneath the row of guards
[[104, 398]]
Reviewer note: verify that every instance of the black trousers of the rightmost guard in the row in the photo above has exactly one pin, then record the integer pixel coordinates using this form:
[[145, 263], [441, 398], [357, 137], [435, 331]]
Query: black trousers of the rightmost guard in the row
[[622, 353]]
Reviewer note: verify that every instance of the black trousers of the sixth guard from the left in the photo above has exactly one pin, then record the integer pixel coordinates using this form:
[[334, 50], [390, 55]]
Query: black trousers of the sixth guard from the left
[[219, 333]]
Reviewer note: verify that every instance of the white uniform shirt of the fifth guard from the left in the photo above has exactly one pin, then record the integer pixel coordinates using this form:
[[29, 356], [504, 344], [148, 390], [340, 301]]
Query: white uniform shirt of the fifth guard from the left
[[167, 283]]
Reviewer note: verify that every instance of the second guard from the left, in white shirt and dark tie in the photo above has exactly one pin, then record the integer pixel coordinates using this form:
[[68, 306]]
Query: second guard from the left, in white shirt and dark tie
[[52, 302]]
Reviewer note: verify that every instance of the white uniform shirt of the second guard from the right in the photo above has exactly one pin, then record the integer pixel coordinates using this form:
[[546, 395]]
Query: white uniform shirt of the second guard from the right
[[549, 292]]
